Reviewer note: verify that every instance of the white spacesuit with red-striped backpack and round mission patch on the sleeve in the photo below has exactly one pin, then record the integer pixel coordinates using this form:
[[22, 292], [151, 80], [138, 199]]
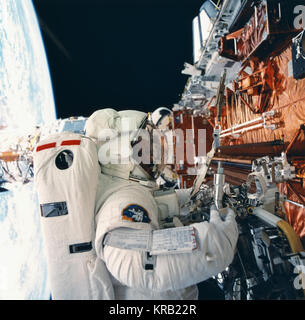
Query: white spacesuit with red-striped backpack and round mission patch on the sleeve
[[120, 196]]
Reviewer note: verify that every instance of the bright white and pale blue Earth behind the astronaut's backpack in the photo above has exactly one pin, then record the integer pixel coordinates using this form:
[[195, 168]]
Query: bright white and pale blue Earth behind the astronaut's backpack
[[26, 100]]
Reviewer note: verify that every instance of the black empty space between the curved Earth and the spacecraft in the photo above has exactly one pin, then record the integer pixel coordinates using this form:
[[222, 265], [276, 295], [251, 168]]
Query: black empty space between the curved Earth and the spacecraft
[[117, 53]]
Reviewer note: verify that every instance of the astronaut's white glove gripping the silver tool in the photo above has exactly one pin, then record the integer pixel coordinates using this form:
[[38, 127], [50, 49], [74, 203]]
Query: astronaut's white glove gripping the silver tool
[[228, 226]]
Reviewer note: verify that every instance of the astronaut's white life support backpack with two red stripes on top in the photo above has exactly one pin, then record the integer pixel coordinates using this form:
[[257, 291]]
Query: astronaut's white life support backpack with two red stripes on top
[[66, 171]]
